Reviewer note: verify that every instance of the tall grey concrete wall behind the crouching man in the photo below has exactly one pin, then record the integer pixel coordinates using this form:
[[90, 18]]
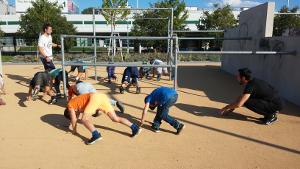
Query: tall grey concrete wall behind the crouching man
[[280, 71]]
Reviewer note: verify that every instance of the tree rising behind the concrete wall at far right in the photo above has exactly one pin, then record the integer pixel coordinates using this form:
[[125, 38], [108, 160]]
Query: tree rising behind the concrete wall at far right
[[284, 22]]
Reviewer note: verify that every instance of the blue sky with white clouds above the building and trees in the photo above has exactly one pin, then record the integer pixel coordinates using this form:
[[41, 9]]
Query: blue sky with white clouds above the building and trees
[[199, 3]]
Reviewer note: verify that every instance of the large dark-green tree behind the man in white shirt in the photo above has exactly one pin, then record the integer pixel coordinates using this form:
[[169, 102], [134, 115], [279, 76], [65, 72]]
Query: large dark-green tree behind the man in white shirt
[[41, 12]]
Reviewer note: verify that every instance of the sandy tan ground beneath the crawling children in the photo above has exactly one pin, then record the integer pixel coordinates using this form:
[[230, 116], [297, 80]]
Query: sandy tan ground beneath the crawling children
[[34, 134]]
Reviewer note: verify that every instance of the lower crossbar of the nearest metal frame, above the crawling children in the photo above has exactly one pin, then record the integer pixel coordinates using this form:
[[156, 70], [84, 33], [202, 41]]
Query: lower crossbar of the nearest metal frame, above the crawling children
[[116, 64]]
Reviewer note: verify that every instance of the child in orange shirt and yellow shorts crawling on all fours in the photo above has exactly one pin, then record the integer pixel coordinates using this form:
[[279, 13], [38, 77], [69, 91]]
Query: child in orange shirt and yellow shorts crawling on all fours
[[88, 104]]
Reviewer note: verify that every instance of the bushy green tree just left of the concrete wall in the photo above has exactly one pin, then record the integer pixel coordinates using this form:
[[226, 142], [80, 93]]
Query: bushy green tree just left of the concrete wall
[[221, 18]]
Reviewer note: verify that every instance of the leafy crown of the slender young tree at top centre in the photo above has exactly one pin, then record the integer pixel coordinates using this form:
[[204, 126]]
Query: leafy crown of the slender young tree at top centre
[[112, 16]]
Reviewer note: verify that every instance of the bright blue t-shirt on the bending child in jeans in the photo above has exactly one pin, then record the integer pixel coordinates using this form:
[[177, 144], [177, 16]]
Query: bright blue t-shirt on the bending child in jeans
[[160, 95]]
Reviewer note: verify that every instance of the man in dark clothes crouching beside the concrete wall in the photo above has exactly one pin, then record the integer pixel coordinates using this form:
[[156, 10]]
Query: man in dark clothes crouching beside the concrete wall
[[258, 96]]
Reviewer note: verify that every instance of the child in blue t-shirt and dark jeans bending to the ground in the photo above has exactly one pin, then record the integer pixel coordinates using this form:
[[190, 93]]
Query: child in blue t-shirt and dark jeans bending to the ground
[[162, 98]]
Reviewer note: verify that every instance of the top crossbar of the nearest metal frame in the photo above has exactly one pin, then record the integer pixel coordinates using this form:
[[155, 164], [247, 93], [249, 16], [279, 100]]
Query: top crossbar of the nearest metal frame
[[120, 37]]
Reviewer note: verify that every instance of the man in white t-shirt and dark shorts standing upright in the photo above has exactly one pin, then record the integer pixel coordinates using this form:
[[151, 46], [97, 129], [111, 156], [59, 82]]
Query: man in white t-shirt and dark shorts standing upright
[[45, 47]]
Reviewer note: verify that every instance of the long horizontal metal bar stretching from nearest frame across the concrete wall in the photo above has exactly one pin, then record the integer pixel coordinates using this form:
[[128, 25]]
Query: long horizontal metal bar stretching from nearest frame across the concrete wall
[[239, 52]]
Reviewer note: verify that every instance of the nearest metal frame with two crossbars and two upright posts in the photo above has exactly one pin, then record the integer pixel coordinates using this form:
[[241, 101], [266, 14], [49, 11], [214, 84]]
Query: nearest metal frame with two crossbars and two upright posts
[[116, 64]]
